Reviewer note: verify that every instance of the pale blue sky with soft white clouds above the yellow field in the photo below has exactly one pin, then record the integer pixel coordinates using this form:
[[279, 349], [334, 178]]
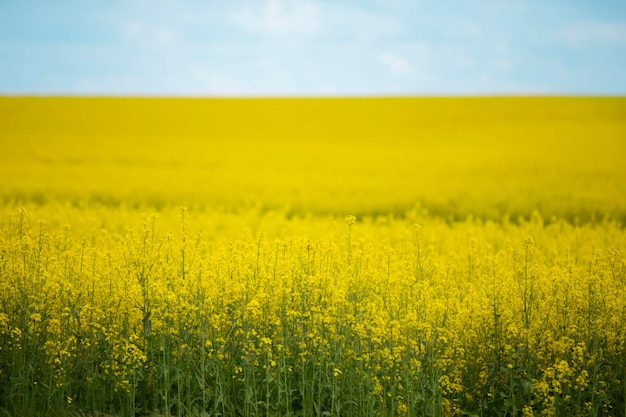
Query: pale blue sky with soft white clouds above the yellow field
[[312, 48]]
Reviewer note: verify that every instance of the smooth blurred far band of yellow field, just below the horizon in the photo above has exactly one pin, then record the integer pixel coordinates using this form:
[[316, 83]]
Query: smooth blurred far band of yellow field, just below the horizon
[[454, 156]]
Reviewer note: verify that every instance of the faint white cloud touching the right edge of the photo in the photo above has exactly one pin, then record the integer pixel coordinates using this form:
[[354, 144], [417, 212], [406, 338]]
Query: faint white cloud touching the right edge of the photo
[[587, 33]]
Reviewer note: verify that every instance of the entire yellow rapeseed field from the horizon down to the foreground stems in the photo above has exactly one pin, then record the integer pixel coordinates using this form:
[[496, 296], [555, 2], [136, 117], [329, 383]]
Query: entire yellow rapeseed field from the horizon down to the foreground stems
[[313, 257]]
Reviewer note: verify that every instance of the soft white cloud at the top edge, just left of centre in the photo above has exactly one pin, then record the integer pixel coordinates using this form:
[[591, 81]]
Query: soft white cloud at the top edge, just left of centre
[[278, 17]]
